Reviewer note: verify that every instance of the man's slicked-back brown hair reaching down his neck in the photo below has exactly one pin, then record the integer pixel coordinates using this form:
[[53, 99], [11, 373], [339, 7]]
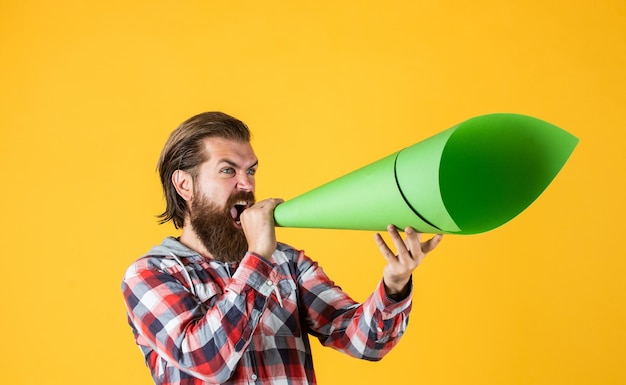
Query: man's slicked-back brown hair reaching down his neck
[[184, 150]]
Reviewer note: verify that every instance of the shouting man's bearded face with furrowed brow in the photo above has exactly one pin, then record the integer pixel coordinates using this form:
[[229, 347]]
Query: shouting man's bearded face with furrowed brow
[[223, 188]]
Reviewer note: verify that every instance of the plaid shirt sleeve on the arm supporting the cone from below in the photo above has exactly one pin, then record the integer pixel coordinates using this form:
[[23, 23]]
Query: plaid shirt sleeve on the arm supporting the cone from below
[[367, 330]]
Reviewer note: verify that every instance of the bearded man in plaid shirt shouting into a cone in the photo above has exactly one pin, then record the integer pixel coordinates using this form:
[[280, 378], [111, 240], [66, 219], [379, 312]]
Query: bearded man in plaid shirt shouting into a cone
[[225, 303]]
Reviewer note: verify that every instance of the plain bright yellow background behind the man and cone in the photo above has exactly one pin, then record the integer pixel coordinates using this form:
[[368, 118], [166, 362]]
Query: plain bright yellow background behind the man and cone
[[90, 91]]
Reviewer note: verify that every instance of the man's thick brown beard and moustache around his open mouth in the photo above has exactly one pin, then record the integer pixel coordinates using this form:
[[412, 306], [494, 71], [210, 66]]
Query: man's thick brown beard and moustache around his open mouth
[[215, 228]]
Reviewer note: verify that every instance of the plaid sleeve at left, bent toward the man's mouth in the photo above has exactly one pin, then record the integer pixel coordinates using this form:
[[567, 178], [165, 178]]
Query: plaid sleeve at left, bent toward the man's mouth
[[206, 343]]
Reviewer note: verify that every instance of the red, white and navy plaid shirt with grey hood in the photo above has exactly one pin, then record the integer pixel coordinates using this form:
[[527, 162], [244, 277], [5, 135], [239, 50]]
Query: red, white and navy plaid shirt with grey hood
[[215, 323]]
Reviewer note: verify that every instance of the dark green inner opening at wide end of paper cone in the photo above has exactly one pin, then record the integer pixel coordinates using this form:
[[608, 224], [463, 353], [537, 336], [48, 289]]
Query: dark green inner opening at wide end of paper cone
[[494, 166]]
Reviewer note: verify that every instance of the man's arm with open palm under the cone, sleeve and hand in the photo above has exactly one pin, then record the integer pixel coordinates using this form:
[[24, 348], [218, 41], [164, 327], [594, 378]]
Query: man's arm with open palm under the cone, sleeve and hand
[[371, 329]]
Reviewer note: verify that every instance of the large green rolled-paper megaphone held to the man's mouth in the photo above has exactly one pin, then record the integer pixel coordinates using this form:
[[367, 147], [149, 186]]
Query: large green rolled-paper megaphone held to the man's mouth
[[468, 179]]
